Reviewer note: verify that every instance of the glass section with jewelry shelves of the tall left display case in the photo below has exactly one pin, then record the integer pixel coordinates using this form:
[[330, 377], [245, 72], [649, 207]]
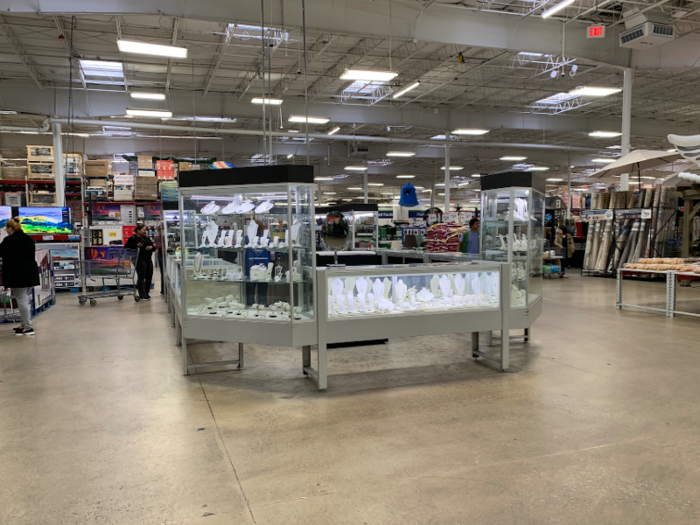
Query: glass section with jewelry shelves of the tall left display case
[[250, 252]]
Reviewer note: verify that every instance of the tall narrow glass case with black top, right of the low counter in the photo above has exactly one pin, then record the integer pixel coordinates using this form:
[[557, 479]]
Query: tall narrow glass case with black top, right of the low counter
[[512, 230]]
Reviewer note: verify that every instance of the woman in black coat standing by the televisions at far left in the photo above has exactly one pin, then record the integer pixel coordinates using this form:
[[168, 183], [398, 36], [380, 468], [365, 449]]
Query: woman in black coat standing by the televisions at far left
[[19, 270]]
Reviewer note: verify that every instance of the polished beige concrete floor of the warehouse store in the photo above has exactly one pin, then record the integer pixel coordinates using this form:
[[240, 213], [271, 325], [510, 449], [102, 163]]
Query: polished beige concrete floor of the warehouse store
[[597, 422]]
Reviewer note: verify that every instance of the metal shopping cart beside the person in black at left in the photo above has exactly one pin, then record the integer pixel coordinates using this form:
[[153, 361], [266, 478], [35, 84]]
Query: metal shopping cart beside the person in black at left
[[111, 276]]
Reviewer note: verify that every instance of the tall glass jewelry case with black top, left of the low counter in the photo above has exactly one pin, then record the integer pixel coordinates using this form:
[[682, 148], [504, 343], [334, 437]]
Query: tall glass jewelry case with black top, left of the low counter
[[247, 261]]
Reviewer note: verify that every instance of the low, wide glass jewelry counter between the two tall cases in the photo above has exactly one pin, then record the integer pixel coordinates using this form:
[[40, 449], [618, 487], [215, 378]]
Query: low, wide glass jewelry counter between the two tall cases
[[359, 303]]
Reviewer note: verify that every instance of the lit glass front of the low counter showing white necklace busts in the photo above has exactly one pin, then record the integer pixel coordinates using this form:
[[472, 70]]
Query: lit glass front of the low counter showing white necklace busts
[[391, 290]]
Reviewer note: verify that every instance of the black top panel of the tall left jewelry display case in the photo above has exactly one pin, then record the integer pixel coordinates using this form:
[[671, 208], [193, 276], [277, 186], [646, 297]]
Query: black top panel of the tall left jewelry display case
[[247, 176]]
